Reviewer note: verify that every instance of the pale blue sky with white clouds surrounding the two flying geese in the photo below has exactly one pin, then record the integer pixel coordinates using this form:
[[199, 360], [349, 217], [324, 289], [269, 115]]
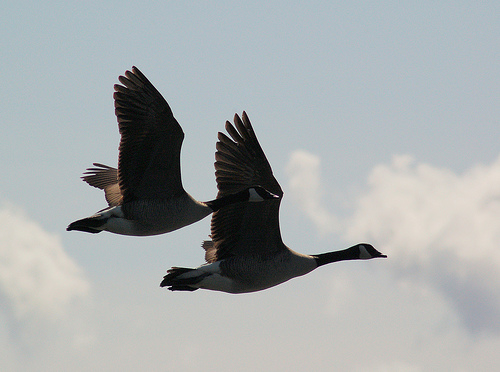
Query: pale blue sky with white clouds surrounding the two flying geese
[[381, 123]]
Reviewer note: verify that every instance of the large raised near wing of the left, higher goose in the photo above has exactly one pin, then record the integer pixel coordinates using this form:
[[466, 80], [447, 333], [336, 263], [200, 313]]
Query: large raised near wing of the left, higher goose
[[151, 140]]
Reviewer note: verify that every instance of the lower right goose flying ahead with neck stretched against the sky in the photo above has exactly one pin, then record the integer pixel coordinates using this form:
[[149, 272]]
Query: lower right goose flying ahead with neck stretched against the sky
[[246, 252]]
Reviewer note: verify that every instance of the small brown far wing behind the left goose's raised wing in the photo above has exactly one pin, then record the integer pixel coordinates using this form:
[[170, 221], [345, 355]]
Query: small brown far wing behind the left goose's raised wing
[[105, 178]]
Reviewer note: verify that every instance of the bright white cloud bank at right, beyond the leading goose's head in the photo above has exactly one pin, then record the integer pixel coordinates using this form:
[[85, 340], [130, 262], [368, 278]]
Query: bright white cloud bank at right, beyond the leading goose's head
[[441, 230]]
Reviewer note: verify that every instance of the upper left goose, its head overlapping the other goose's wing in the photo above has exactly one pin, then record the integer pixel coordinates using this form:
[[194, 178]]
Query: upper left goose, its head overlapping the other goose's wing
[[145, 194]]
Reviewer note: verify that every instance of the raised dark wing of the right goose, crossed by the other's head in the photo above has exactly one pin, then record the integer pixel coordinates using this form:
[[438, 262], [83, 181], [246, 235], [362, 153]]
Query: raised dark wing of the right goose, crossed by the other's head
[[244, 228]]
